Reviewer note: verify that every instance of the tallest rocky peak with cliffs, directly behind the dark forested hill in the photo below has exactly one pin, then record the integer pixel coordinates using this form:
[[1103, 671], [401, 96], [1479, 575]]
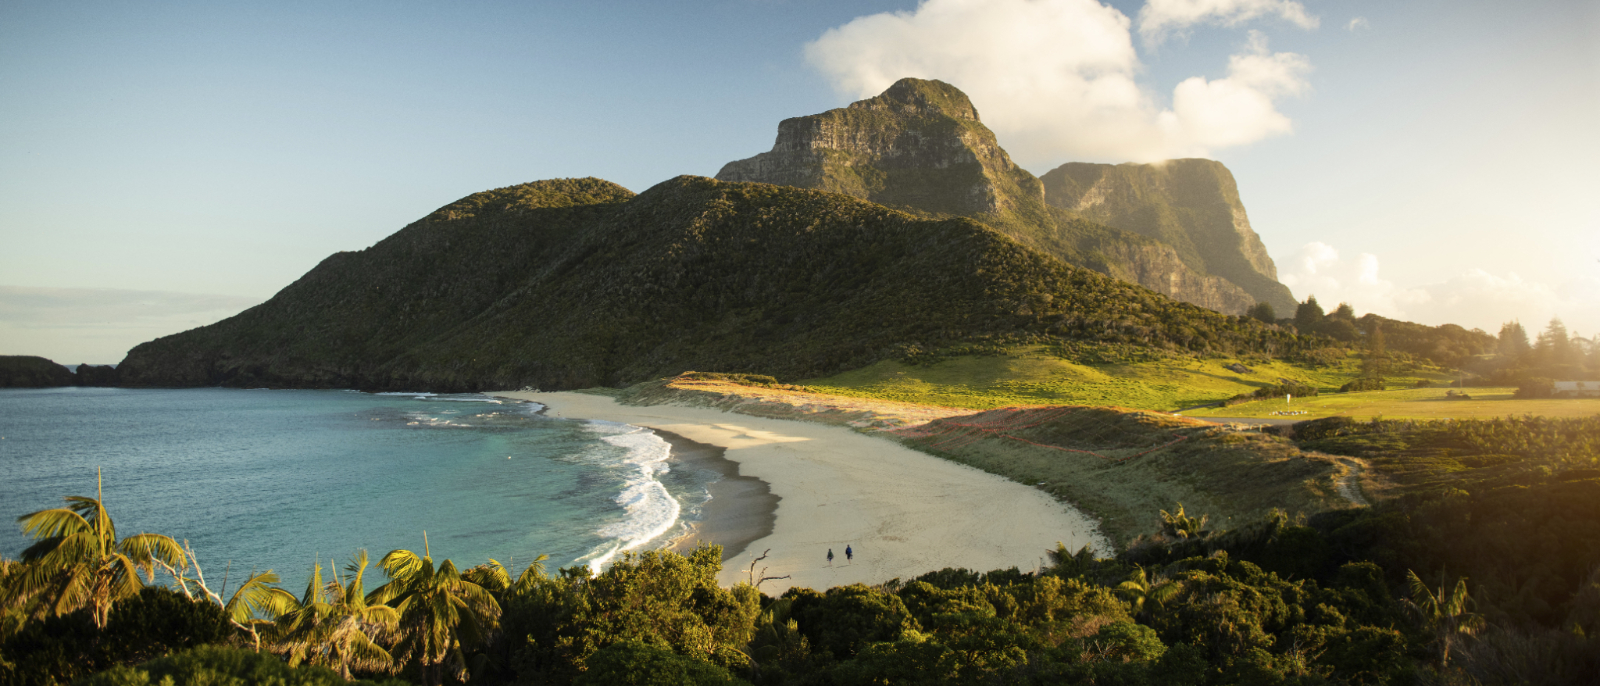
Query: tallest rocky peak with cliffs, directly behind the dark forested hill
[[922, 148]]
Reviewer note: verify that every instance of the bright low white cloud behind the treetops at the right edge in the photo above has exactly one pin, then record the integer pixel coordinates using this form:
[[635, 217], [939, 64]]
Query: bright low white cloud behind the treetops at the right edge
[[1474, 298]]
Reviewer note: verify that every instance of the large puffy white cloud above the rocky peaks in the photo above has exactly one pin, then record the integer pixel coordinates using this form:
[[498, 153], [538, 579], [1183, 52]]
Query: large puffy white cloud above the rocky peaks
[[1057, 79]]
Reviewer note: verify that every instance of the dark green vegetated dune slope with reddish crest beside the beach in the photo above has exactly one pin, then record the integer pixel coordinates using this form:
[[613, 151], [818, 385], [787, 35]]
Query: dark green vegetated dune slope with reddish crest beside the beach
[[1126, 468]]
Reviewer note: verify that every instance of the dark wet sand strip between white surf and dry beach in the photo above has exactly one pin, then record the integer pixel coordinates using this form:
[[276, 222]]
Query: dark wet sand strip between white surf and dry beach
[[742, 509]]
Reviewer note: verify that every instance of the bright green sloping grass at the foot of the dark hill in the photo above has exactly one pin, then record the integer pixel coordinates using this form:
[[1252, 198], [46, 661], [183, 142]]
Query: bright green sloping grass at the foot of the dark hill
[[1034, 377]]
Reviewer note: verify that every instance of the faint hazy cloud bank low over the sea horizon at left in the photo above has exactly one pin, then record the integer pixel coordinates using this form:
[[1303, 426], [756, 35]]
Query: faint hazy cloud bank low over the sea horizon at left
[[100, 325]]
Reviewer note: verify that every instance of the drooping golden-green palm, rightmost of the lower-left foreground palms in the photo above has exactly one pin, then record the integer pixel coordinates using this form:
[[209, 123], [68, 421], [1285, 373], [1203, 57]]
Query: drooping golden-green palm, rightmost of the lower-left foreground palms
[[442, 612]]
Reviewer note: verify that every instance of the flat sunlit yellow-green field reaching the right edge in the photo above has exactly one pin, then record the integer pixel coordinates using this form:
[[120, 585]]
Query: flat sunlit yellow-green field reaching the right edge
[[1414, 404]]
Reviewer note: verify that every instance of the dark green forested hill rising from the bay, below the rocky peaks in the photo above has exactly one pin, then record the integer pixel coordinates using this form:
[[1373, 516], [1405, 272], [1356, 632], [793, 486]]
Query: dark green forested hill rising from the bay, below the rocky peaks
[[578, 282]]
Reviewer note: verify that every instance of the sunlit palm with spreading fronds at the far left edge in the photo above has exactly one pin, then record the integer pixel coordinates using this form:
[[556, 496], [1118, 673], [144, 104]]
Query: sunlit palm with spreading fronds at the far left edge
[[79, 562]]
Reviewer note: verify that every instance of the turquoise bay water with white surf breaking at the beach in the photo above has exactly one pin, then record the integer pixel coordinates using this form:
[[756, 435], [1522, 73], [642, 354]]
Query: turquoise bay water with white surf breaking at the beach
[[281, 479]]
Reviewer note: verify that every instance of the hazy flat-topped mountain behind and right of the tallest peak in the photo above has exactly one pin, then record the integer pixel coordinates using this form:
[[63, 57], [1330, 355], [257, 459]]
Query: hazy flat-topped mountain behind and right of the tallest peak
[[1191, 205]]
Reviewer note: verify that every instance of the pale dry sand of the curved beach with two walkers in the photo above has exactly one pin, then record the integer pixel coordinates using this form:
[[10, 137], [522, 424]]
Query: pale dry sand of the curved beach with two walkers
[[903, 513]]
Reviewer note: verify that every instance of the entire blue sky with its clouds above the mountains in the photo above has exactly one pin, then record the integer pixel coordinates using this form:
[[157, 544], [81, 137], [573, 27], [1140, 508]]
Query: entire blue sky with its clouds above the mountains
[[167, 166]]
